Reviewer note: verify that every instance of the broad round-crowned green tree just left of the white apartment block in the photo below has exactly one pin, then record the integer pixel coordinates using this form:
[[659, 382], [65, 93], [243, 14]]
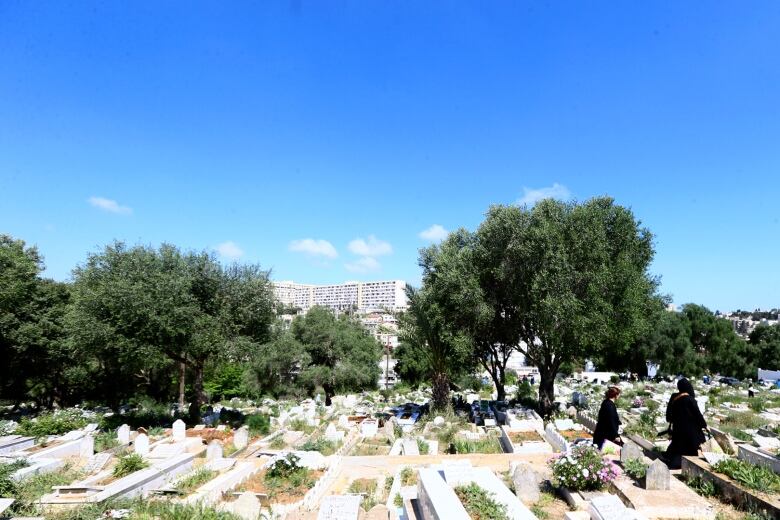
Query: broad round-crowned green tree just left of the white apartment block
[[186, 308]]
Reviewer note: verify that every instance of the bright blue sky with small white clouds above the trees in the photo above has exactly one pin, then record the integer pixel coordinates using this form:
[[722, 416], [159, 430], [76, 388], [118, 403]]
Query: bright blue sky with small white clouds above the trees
[[321, 139]]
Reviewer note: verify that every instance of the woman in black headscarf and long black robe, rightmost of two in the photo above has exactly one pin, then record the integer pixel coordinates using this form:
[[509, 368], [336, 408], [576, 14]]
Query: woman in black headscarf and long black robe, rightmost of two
[[687, 424]]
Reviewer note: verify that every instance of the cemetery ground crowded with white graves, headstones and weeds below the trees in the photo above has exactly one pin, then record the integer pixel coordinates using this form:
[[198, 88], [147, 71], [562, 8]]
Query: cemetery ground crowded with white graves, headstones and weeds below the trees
[[365, 457]]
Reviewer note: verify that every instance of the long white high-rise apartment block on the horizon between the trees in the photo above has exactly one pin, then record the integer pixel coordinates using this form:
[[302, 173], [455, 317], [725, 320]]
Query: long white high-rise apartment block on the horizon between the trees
[[389, 295]]
